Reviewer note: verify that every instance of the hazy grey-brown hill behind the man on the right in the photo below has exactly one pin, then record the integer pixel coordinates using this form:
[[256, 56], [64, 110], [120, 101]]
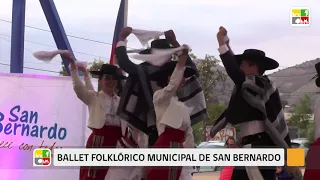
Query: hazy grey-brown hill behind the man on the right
[[293, 83]]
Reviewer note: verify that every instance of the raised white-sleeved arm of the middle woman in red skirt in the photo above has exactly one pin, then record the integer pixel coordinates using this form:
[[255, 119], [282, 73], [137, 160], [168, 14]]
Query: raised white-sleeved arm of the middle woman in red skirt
[[170, 90]]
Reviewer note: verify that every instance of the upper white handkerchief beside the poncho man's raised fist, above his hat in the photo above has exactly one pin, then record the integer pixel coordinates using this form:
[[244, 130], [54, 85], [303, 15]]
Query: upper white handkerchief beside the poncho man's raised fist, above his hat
[[144, 36]]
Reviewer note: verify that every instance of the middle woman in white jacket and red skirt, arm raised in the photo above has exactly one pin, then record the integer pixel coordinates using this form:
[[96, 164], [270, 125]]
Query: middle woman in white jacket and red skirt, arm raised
[[173, 116]]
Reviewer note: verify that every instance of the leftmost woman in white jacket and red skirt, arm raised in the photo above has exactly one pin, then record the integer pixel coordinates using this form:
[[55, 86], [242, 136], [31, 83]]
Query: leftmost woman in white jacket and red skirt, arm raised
[[105, 125]]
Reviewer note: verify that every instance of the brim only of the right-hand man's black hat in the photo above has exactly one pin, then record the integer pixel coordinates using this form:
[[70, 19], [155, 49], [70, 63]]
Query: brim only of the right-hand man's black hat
[[266, 62]]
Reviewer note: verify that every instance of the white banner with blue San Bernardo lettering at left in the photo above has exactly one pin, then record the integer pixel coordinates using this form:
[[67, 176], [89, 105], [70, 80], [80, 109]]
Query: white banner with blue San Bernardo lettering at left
[[38, 111]]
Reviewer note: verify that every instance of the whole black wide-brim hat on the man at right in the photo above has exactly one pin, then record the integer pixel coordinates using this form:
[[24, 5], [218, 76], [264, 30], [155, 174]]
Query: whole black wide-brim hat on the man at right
[[259, 57]]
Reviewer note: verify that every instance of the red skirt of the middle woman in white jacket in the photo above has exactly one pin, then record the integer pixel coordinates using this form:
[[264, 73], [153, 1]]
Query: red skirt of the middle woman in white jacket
[[170, 138]]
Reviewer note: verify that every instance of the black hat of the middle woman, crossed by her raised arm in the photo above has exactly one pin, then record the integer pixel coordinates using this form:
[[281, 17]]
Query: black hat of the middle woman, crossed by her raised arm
[[167, 70]]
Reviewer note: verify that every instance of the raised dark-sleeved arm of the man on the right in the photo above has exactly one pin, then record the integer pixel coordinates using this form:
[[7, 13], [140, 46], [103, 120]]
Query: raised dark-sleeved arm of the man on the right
[[228, 59]]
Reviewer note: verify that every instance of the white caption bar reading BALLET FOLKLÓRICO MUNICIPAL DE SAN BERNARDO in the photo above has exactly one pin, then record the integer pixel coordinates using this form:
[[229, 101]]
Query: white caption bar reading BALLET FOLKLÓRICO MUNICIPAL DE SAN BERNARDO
[[169, 157]]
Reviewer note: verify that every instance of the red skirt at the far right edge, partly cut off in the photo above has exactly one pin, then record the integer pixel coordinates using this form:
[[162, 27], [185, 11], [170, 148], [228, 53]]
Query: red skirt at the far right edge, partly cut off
[[313, 161]]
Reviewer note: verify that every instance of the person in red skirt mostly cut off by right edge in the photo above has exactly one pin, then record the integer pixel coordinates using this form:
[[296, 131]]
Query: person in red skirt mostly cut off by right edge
[[313, 157]]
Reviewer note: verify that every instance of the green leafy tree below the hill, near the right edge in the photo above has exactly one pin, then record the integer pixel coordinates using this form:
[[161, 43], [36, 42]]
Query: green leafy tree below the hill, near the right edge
[[301, 115]]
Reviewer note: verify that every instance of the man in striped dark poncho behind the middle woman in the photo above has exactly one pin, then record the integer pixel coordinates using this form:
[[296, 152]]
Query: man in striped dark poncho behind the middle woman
[[136, 104]]
